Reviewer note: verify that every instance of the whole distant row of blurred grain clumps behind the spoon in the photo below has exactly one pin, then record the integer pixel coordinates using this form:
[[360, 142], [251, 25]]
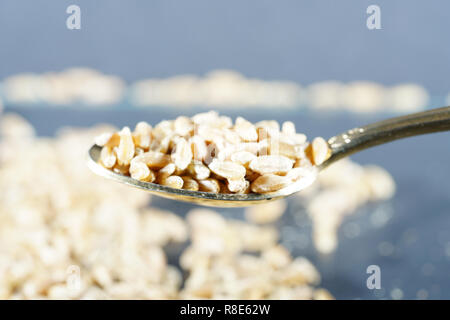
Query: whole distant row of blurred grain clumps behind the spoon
[[224, 89]]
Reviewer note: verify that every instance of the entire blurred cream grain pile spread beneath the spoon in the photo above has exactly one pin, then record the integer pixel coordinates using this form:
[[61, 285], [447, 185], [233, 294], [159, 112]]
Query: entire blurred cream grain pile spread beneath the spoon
[[65, 233]]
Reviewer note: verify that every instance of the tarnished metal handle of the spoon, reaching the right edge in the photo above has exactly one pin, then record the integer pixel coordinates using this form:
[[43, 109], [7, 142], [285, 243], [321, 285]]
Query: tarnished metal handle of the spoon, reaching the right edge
[[358, 139]]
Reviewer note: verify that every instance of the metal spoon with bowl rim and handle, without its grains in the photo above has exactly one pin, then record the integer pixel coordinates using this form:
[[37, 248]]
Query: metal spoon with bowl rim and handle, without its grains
[[341, 146]]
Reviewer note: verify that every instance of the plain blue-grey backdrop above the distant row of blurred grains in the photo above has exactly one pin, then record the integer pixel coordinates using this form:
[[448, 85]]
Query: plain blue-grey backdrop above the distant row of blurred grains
[[304, 41]]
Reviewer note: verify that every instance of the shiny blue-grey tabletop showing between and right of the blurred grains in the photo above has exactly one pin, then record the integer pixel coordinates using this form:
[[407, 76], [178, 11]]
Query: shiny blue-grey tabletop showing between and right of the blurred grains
[[417, 218]]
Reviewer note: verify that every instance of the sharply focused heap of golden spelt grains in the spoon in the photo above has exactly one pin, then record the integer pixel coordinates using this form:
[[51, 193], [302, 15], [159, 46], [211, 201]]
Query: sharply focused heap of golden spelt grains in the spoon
[[208, 148]]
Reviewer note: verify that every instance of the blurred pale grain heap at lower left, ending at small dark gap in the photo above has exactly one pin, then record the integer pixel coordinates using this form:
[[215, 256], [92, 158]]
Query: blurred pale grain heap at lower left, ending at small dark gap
[[58, 228]]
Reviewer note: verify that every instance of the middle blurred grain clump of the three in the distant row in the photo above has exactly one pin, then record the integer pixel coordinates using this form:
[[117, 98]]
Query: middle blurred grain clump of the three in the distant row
[[220, 88]]
